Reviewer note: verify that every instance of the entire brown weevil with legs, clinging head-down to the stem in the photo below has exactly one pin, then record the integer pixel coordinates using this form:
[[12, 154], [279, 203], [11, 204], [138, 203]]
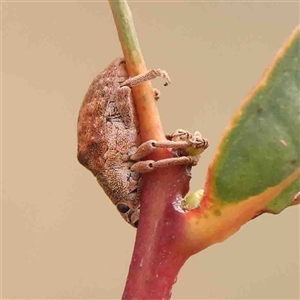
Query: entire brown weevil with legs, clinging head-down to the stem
[[109, 143]]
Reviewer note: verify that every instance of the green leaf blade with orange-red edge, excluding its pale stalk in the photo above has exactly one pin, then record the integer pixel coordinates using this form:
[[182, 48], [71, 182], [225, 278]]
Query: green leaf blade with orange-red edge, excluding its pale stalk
[[261, 146]]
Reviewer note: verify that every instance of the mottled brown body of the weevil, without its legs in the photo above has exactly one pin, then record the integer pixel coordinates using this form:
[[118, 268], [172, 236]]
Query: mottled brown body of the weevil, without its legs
[[108, 135]]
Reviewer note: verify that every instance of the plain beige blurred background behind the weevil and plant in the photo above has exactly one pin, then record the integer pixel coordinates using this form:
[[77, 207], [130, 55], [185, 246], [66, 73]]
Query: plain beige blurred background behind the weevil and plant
[[61, 236]]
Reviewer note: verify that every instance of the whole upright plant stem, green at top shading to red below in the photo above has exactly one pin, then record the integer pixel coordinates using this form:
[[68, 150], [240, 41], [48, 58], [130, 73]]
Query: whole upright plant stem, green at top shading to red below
[[158, 253]]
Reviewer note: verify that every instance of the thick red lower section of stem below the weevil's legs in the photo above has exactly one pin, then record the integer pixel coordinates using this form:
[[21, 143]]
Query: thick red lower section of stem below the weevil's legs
[[159, 253]]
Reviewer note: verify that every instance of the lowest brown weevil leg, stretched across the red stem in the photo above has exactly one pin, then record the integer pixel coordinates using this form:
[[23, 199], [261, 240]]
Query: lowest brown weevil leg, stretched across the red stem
[[151, 165]]
